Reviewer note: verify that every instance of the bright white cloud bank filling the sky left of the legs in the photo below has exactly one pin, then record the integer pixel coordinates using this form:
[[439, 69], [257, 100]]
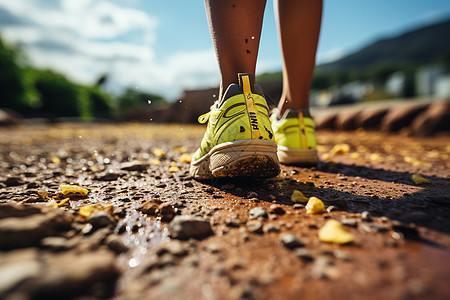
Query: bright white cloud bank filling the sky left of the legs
[[87, 38]]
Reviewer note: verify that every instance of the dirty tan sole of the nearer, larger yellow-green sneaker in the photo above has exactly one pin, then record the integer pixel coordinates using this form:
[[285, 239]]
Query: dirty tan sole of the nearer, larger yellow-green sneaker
[[244, 158]]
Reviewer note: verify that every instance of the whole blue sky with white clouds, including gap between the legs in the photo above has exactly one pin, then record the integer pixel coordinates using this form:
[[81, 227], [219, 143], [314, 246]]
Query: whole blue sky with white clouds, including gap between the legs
[[164, 47]]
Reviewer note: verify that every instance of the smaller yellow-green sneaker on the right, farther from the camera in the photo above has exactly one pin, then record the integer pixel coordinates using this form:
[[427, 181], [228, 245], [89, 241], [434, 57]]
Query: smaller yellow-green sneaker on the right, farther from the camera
[[295, 136]]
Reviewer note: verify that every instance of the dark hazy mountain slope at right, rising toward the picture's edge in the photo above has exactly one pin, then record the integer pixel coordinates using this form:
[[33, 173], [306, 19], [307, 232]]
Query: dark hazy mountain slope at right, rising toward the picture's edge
[[424, 45]]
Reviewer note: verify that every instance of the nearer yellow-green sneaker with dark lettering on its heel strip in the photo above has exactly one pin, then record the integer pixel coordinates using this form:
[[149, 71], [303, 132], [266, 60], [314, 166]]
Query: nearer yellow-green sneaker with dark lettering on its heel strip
[[239, 140]]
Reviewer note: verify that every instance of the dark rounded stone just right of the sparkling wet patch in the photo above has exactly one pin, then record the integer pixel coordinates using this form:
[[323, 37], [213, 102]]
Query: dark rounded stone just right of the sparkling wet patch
[[185, 227]]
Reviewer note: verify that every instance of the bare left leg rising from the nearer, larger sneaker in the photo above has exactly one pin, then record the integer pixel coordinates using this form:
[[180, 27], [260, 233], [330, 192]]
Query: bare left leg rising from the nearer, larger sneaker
[[235, 30]]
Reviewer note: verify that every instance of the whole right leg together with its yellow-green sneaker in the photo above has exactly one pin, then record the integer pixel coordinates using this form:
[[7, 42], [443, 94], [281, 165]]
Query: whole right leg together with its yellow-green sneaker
[[294, 129]]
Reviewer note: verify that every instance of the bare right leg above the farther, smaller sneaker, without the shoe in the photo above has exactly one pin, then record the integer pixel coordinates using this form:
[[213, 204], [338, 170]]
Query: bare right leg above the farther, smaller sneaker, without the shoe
[[299, 27]]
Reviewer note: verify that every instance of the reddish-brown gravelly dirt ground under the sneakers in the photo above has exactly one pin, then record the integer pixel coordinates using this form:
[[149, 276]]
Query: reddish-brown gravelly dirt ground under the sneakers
[[155, 233]]
